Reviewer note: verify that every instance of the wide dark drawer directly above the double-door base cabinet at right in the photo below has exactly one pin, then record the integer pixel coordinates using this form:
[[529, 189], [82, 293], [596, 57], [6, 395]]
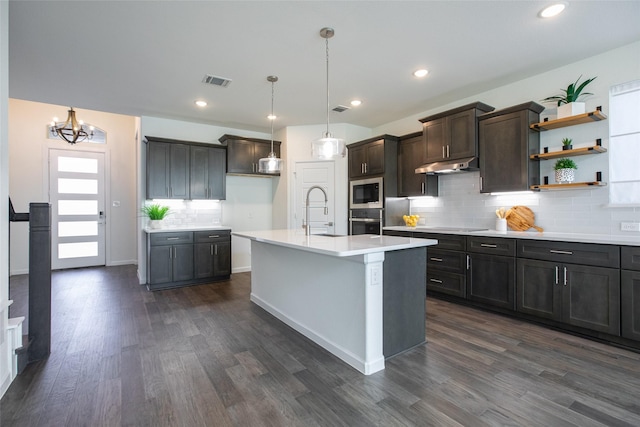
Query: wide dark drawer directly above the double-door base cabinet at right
[[575, 253]]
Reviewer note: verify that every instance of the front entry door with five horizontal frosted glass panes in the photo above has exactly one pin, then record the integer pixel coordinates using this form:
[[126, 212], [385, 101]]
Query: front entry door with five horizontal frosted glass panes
[[76, 190]]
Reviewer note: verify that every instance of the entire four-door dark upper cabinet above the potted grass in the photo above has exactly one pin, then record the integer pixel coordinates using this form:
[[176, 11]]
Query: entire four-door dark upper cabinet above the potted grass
[[185, 170]]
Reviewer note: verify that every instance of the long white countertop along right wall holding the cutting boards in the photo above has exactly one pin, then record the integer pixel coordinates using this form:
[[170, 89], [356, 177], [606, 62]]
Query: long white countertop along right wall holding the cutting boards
[[553, 236]]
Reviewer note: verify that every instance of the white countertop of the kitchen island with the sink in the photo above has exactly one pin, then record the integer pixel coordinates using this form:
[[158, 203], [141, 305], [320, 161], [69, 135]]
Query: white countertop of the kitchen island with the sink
[[340, 246]]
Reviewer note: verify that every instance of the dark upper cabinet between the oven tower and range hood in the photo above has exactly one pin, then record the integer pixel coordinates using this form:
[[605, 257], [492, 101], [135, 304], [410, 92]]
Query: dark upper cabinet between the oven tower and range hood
[[412, 153]]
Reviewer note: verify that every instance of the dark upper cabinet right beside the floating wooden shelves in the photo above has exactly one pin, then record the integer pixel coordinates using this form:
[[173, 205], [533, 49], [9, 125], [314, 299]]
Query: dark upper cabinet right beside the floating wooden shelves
[[505, 144]]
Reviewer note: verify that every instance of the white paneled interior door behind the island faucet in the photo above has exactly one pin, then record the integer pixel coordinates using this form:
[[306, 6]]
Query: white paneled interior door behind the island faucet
[[307, 175]]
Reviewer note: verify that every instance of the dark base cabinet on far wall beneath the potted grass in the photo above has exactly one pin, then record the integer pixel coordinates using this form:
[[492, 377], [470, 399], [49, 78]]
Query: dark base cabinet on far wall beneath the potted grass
[[186, 258]]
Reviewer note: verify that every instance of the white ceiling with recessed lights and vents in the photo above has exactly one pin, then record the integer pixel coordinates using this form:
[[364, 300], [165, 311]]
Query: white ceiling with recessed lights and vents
[[147, 58]]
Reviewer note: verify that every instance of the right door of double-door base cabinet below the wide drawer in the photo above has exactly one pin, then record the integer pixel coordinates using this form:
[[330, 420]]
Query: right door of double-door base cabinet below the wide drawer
[[591, 297]]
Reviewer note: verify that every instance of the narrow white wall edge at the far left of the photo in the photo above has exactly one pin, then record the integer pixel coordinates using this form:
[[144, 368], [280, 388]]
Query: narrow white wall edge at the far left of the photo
[[5, 350]]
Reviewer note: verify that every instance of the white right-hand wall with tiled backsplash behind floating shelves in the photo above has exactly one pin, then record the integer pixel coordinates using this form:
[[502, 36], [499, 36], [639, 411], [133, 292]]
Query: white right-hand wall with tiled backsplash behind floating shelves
[[575, 211]]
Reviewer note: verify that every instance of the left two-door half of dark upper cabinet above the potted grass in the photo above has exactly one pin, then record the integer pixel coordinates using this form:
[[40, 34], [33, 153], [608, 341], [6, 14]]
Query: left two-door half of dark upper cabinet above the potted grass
[[167, 170]]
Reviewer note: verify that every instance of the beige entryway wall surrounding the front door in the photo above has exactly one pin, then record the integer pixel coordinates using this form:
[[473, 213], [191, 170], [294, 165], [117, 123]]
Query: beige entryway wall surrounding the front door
[[28, 174]]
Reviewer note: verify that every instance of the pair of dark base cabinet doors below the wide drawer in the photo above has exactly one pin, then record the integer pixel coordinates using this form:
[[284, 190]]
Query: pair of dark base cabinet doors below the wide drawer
[[578, 295]]
